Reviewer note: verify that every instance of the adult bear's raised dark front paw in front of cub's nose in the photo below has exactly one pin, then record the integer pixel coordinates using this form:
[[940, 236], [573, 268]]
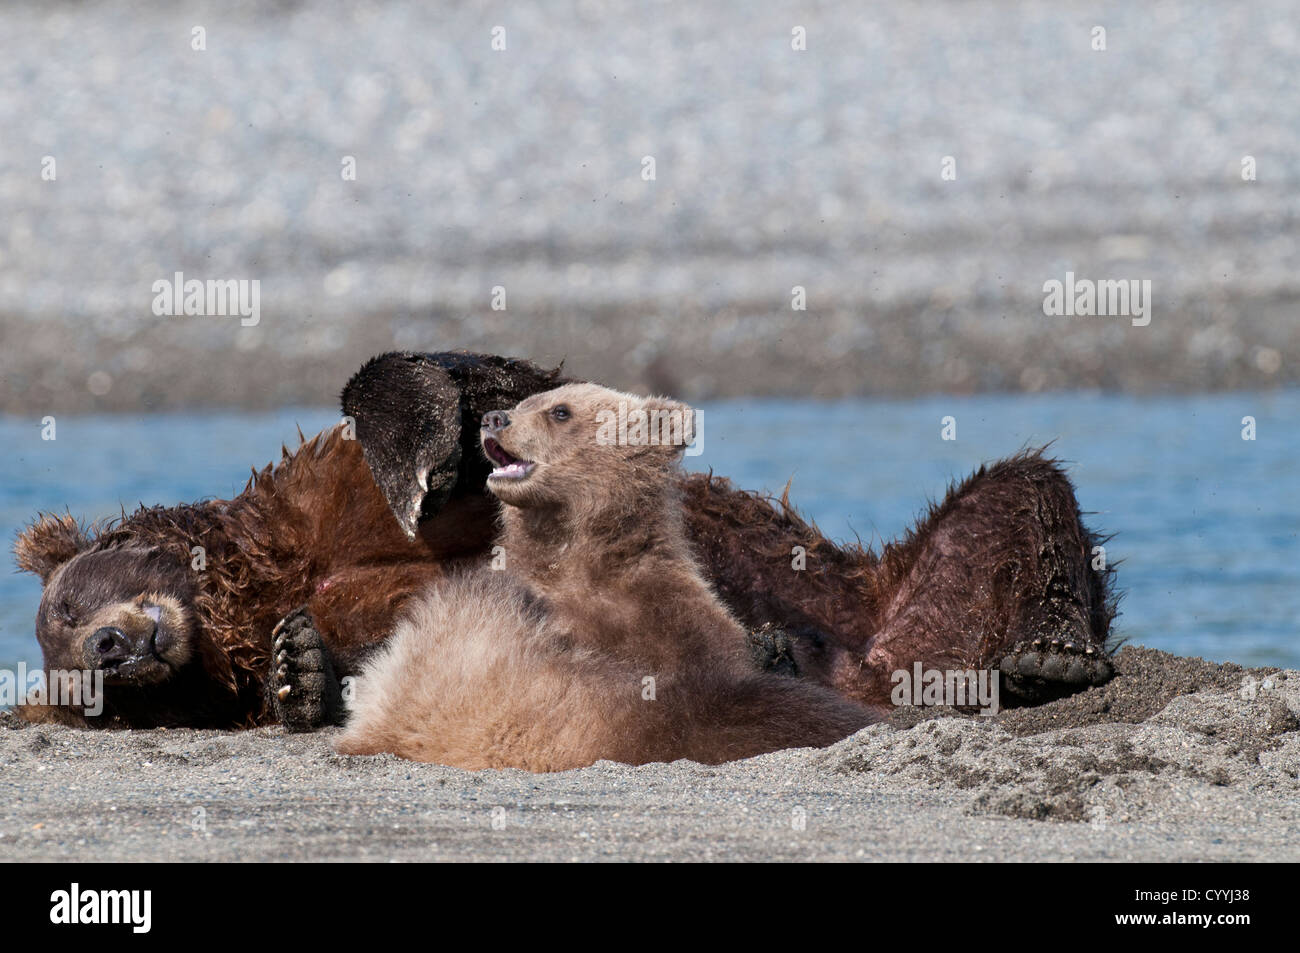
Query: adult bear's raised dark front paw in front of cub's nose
[[408, 413]]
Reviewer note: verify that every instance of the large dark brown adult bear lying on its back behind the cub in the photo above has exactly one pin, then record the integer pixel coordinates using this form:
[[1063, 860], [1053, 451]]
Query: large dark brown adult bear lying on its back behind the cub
[[306, 571]]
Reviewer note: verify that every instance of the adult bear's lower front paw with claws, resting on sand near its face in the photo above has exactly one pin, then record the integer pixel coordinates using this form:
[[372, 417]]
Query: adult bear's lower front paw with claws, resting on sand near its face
[[302, 687]]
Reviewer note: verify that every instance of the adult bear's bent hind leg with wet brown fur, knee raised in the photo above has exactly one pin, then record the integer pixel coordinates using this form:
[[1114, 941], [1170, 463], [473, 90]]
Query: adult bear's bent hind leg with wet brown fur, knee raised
[[1003, 574]]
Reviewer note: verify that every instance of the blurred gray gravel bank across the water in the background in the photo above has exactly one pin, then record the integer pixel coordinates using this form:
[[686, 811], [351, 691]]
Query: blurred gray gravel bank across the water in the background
[[523, 170]]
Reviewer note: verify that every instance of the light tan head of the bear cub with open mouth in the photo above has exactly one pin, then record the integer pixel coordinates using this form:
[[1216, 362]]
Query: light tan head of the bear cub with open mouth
[[584, 448]]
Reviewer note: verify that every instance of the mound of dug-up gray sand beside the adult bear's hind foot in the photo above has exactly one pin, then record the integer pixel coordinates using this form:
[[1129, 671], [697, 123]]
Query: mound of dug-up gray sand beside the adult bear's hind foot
[[1112, 753]]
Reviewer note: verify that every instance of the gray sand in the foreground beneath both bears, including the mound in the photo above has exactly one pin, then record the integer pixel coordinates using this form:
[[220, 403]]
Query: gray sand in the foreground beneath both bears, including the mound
[[1168, 763]]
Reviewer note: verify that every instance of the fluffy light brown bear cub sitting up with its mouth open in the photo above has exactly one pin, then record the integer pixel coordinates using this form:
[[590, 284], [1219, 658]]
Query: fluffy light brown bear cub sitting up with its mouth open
[[601, 638]]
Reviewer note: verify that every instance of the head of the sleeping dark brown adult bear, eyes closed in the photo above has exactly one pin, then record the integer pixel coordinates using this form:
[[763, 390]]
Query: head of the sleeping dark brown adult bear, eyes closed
[[114, 608]]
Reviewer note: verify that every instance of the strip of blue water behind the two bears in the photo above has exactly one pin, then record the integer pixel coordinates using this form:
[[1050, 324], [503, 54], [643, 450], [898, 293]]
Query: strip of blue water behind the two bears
[[1207, 525]]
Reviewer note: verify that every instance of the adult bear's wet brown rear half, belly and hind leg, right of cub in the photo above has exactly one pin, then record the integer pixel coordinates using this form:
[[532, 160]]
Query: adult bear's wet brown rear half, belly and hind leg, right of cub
[[1002, 562]]
